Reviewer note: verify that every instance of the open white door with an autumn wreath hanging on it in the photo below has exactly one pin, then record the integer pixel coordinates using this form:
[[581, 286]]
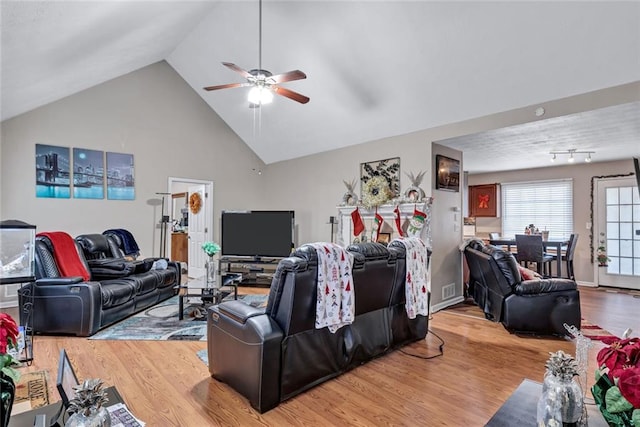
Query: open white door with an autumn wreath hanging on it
[[197, 231]]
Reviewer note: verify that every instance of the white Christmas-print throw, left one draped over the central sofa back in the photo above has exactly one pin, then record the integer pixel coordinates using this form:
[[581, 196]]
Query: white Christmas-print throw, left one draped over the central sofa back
[[335, 306]]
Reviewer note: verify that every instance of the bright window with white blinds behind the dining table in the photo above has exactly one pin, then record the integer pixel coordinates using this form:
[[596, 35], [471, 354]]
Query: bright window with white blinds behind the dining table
[[546, 204]]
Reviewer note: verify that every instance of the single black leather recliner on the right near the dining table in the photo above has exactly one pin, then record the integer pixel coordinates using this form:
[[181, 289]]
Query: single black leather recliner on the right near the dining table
[[539, 306]]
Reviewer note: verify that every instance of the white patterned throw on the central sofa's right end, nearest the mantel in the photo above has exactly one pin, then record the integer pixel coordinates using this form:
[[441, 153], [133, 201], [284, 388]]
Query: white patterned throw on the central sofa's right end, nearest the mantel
[[417, 277]]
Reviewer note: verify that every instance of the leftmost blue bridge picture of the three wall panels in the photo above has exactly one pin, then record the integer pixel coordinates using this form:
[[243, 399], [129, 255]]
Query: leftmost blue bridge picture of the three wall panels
[[52, 171]]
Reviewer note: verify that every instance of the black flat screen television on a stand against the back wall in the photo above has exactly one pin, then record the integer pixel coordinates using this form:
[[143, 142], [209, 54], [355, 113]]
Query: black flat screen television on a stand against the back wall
[[257, 234]]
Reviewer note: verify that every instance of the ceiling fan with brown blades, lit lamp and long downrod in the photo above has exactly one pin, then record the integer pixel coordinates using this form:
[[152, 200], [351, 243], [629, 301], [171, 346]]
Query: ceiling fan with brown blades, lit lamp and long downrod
[[263, 83]]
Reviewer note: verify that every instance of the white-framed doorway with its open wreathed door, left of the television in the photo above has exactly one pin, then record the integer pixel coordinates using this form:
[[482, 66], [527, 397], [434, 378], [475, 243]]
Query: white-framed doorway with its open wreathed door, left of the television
[[197, 224]]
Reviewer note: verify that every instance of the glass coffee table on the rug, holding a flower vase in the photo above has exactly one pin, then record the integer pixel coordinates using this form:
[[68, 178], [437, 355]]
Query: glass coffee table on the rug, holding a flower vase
[[208, 294]]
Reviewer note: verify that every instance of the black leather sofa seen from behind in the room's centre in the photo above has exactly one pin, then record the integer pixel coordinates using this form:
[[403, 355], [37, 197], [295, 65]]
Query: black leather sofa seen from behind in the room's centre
[[270, 355]]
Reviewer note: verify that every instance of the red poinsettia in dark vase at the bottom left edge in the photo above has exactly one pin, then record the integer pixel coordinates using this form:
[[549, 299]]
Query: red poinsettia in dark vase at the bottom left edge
[[9, 376]]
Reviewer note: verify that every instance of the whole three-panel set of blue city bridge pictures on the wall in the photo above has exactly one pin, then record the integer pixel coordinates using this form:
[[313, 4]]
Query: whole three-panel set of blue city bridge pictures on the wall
[[56, 174]]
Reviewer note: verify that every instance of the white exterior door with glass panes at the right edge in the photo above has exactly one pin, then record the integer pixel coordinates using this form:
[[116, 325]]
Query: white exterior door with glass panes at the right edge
[[617, 228]]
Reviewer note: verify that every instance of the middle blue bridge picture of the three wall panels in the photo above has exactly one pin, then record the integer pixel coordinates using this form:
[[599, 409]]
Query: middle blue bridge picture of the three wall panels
[[88, 174]]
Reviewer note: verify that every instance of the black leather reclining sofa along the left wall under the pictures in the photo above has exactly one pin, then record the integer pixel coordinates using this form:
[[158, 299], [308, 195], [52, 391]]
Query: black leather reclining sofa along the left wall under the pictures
[[117, 287]]
